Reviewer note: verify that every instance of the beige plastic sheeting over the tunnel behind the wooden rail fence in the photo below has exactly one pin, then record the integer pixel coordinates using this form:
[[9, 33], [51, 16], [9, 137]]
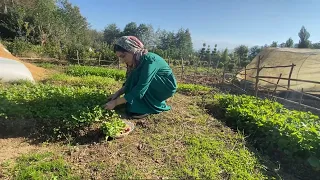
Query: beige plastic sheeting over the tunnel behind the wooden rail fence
[[307, 67]]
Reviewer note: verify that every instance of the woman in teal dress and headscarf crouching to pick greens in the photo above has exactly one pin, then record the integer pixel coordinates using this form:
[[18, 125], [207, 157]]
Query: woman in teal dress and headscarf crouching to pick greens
[[149, 80]]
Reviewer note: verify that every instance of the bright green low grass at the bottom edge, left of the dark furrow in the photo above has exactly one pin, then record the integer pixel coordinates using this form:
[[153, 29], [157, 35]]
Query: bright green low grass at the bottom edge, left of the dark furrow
[[209, 158]]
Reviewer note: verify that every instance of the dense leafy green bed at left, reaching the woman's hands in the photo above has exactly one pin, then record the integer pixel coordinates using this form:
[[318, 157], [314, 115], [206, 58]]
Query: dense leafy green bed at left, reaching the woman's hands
[[56, 109]]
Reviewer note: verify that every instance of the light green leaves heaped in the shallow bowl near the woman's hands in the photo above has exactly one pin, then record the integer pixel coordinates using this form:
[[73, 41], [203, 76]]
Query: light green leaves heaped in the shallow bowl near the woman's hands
[[113, 126]]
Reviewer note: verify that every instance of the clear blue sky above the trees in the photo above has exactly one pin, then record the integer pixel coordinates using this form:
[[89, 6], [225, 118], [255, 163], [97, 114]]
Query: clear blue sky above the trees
[[227, 23]]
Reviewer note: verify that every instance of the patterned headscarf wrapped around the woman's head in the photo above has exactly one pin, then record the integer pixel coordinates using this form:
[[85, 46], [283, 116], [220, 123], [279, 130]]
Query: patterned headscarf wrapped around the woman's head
[[134, 45]]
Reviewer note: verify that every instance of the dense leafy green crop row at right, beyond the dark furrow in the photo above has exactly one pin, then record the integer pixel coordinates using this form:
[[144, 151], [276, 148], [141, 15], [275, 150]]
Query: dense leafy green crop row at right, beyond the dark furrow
[[295, 133]]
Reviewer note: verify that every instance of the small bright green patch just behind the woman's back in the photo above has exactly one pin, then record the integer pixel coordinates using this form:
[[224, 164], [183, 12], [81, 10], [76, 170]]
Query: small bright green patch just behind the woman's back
[[193, 89]]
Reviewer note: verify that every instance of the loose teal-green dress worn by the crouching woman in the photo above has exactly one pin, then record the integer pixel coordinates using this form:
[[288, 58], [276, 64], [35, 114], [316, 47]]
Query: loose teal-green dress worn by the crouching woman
[[149, 85]]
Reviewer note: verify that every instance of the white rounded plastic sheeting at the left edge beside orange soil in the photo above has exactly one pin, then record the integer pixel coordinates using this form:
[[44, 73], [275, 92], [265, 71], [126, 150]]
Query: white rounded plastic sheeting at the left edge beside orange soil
[[11, 70]]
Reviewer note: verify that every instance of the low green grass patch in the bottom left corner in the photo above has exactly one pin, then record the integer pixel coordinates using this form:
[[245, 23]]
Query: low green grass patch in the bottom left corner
[[42, 166]]
